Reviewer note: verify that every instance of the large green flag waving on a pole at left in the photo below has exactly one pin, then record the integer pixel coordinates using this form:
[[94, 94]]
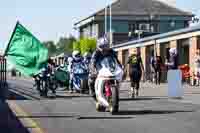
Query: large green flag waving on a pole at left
[[26, 52]]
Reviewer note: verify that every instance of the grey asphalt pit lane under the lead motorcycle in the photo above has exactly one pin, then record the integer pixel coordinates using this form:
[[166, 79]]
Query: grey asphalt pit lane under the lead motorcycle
[[76, 113]]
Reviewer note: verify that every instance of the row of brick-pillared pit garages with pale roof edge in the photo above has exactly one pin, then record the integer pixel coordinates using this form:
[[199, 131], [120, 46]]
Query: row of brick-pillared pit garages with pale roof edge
[[186, 40]]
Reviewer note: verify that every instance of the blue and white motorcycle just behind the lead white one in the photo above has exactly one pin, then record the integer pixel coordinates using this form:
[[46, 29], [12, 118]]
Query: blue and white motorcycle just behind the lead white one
[[80, 76]]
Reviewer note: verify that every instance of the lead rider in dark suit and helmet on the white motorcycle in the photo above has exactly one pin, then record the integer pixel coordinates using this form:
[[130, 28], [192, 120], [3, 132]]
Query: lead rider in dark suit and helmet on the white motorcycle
[[102, 51]]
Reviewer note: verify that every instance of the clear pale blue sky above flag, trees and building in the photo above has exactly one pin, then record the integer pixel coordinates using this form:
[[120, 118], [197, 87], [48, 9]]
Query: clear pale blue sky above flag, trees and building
[[50, 19]]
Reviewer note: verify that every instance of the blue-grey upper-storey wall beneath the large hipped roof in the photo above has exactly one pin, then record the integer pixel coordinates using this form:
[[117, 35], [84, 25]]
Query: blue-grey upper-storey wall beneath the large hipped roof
[[122, 27]]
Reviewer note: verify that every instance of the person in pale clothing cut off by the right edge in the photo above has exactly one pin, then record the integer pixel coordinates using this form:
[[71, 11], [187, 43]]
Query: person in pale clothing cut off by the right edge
[[197, 66]]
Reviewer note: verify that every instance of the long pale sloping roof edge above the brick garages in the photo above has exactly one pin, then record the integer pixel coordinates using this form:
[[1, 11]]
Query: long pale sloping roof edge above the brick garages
[[160, 36]]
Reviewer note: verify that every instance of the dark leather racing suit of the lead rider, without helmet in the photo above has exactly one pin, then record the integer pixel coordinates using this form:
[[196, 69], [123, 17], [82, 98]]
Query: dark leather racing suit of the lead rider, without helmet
[[95, 60]]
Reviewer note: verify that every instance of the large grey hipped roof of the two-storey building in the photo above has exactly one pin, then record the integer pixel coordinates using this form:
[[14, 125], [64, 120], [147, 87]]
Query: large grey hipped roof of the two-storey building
[[141, 7]]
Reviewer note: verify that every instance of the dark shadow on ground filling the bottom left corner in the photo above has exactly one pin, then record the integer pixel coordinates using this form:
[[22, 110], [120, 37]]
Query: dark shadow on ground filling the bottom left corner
[[9, 122]]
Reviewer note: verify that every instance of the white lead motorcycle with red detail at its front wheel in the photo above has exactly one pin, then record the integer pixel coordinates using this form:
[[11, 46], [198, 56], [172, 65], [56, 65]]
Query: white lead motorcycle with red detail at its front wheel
[[107, 85]]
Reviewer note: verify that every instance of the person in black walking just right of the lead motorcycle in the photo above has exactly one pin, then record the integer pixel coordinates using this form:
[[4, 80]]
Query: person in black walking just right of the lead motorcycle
[[135, 72]]
